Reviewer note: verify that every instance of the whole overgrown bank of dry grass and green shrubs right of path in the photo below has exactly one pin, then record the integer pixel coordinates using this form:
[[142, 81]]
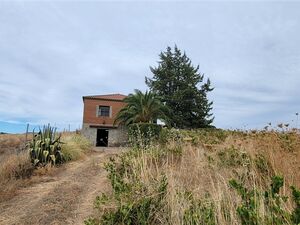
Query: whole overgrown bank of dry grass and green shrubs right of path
[[203, 177]]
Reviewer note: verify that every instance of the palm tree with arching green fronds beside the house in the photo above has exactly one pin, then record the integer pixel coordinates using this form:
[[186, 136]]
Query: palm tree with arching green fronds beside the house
[[141, 108]]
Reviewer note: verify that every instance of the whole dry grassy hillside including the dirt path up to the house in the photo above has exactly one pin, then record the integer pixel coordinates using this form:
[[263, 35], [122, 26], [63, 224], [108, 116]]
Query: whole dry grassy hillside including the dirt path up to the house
[[185, 177]]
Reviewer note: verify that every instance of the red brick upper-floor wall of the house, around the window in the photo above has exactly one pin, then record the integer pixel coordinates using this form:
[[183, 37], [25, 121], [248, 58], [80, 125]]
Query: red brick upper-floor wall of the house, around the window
[[90, 111]]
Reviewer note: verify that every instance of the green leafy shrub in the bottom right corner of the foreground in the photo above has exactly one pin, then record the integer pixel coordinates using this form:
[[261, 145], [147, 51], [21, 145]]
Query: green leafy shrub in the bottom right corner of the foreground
[[275, 213]]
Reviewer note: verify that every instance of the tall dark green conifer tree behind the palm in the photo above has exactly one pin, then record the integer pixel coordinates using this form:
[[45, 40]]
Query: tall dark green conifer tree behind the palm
[[181, 87]]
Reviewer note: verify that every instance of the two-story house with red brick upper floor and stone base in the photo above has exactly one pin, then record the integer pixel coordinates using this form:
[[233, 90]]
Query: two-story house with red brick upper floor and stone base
[[99, 113]]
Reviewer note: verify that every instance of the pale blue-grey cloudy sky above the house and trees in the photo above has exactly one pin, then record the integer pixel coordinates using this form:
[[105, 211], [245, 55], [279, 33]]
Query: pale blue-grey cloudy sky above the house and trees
[[53, 52]]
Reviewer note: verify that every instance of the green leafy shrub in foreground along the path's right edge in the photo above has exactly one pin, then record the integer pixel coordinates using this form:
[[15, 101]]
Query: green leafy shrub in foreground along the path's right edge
[[133, 201]]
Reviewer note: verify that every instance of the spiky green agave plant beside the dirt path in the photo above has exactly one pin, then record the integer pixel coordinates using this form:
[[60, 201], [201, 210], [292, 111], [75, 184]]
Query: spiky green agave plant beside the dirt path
[[45, 147]]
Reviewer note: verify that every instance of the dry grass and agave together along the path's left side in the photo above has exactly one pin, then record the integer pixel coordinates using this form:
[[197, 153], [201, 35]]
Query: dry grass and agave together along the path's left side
[[19, 163]]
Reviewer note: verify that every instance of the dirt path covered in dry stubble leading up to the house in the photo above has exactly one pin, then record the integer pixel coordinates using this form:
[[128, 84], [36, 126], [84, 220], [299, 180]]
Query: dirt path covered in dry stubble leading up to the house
[[66, 198]]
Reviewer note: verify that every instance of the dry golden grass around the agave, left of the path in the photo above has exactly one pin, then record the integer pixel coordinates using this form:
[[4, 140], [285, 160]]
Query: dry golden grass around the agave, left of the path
[[15, 166]]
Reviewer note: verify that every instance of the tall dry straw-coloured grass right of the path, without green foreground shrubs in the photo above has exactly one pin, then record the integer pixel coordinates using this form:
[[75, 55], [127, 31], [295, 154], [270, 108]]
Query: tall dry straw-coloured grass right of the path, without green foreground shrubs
[[205, 166]]
